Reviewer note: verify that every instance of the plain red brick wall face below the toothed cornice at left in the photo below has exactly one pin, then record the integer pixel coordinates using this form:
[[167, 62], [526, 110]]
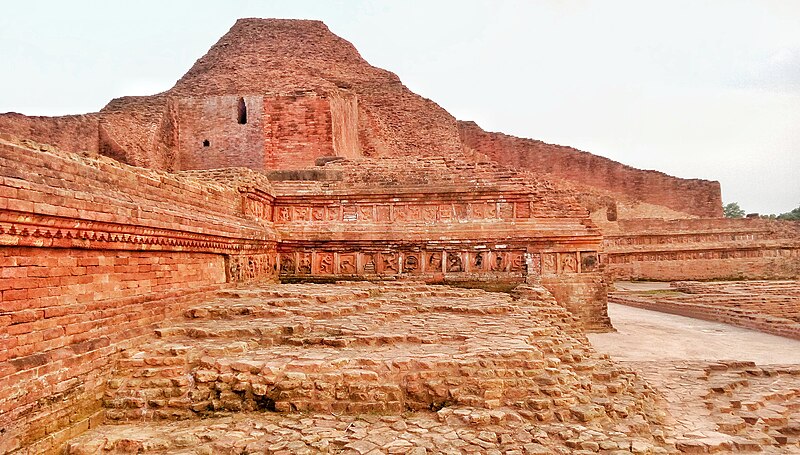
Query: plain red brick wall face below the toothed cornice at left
[[64, 313]]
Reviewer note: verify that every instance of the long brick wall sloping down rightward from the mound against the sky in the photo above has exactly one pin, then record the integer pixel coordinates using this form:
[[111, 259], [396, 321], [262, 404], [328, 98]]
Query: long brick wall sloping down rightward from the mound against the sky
[[692, 196]]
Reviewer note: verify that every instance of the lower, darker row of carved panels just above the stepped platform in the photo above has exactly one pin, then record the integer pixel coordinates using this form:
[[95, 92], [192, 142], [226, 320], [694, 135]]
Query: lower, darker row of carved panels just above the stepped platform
[[417, 262]]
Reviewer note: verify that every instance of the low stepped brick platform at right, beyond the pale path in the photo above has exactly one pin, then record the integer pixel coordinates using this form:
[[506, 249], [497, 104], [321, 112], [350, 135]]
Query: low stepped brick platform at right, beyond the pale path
[[769, 306]]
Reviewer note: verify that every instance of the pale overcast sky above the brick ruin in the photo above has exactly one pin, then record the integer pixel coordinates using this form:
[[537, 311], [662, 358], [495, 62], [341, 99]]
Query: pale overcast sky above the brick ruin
[[704, 89]]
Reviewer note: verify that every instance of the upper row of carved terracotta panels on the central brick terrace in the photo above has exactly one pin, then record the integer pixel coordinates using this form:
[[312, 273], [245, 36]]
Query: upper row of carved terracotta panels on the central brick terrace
[[387, 213]]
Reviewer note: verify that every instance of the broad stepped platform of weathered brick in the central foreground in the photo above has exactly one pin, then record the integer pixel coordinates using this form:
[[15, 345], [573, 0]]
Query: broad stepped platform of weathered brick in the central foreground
[[392, 367]]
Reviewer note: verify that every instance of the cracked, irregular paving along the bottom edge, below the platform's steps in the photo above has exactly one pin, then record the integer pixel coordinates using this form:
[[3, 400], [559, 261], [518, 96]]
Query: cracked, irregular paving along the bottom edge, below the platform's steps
[[451, 430]]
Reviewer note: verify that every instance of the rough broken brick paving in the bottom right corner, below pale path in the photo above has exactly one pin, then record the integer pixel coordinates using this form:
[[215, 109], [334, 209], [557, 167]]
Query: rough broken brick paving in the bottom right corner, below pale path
[[729, 406]]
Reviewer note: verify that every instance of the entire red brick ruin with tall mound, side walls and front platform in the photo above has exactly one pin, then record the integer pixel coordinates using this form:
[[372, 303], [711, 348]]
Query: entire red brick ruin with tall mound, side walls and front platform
[[142, 245]]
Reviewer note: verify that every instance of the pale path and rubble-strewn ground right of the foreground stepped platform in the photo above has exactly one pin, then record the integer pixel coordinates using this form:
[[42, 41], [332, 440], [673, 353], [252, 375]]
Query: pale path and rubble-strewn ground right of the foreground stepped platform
[[751, 403]]
